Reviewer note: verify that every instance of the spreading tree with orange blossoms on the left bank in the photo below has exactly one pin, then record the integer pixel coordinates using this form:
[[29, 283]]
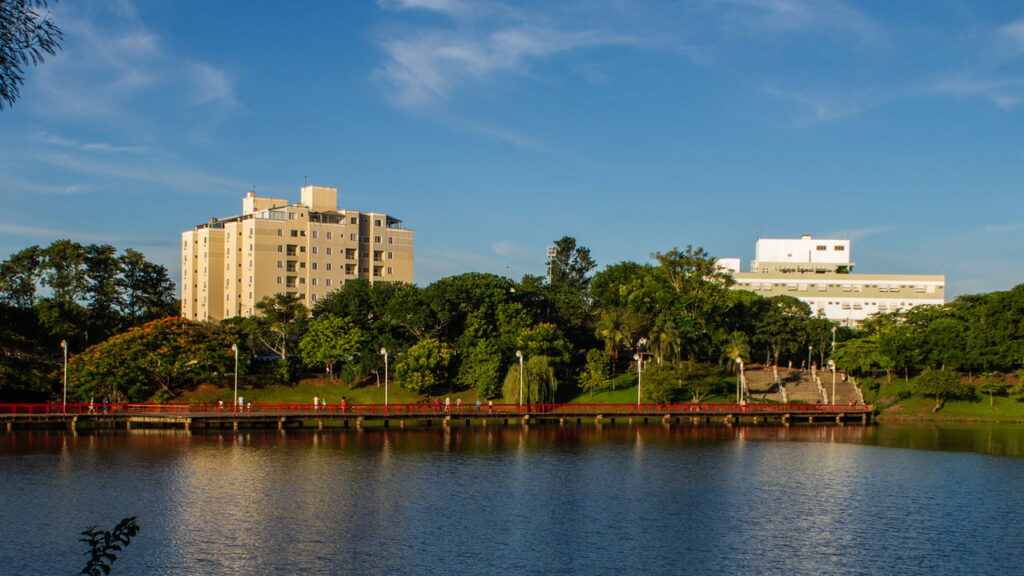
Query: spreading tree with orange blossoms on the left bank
[[162, 357]]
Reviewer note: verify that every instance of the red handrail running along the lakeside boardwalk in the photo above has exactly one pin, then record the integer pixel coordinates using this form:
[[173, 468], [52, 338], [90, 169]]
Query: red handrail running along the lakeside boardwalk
[[411, 410]]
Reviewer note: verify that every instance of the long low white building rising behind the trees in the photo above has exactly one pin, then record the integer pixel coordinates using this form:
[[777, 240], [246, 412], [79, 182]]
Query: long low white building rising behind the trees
[[820, 272]]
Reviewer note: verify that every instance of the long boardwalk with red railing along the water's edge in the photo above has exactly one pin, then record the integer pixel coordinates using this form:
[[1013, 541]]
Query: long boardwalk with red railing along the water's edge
[[214, 416]]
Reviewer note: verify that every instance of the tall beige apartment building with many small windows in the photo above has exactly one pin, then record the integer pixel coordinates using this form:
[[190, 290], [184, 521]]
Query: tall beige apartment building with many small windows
[[308, 249]]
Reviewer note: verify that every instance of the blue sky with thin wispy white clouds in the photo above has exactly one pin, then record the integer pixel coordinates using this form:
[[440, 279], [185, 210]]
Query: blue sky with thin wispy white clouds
[[494, 129]]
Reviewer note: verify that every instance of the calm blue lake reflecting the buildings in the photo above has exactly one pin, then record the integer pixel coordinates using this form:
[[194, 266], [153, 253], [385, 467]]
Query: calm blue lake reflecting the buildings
[[579, 500]]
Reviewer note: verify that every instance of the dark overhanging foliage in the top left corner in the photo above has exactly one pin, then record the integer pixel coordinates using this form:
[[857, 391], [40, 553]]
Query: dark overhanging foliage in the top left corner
[[27, 34]]
